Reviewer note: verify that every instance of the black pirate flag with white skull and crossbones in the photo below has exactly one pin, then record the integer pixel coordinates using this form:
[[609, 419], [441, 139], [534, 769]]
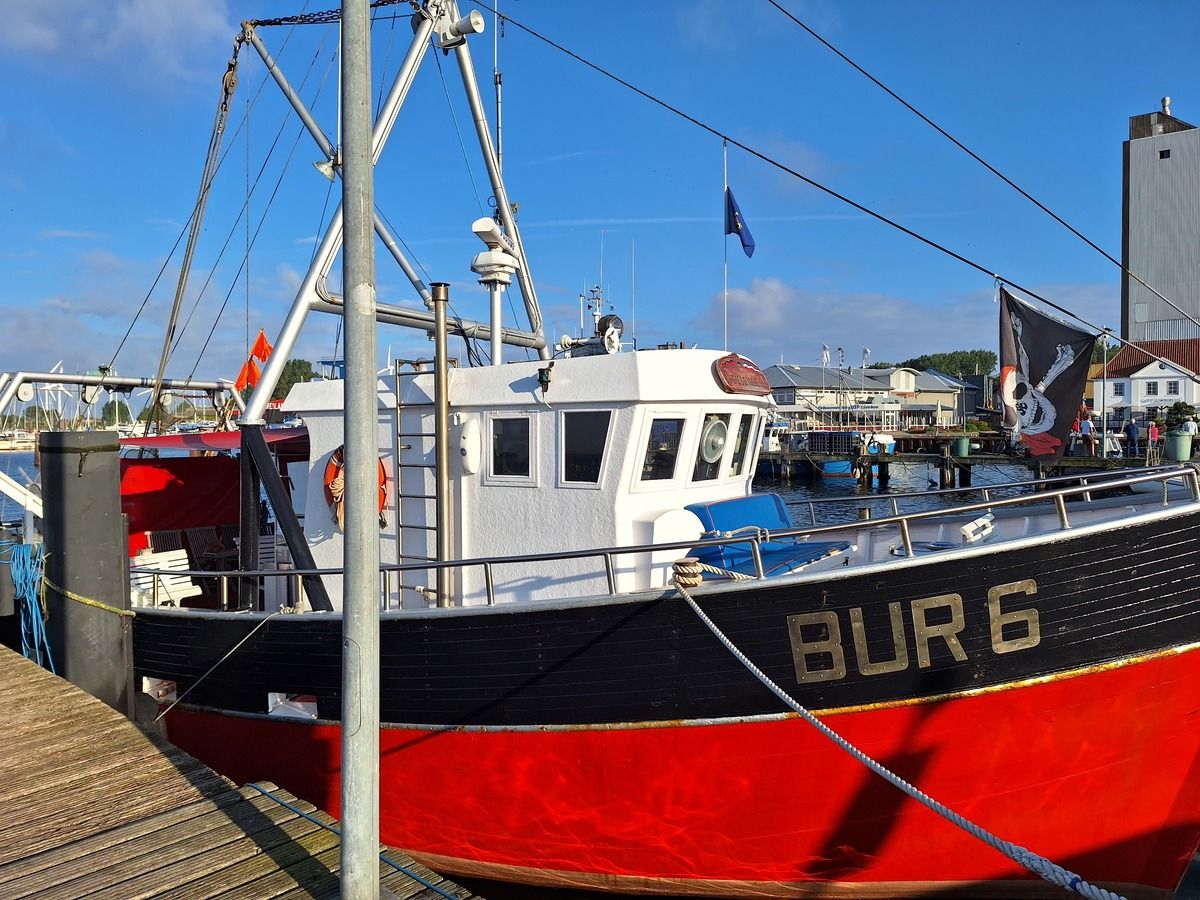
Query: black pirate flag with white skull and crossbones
[[1043, 369]]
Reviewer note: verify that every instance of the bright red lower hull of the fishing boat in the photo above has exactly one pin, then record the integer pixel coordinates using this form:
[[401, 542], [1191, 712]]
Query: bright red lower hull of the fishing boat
[[1097, 771]]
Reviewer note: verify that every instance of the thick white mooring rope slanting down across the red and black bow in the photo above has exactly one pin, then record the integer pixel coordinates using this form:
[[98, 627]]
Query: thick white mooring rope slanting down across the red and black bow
[[688, 575]]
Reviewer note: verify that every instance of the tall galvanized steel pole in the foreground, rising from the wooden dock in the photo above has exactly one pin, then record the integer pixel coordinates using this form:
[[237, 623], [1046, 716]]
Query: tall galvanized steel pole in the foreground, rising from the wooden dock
[[361, 602]]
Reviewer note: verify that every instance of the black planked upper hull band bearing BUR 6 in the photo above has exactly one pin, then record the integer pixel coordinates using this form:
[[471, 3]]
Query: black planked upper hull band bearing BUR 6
[[944, 625]]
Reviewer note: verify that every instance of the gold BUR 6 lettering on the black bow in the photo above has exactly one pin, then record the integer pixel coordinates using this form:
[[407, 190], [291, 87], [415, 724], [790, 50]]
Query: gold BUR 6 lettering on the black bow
[[935, 623]]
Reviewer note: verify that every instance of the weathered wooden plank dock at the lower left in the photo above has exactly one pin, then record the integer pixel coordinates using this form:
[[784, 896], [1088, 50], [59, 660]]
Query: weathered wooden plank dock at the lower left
[[95, 807]]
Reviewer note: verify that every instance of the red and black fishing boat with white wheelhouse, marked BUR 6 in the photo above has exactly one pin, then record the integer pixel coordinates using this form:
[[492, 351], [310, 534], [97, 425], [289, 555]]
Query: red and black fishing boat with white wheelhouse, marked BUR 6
[[586, 614]]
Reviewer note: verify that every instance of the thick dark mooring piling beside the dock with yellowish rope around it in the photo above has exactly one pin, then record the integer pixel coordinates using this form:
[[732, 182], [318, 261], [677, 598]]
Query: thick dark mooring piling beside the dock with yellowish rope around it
[[87, 560]]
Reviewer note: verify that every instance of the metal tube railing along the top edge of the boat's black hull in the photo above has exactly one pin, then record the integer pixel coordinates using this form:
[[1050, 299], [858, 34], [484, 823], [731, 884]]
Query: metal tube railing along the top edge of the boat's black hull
[[393, 575]]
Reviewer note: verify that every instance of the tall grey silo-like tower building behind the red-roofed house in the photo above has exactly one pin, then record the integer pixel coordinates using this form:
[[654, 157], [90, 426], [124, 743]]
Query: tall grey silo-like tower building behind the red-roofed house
[[1161, 227]]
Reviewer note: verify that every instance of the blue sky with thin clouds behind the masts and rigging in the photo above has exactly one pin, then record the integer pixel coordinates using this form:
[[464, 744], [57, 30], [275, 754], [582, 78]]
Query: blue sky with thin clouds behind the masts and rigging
[[109, 130]]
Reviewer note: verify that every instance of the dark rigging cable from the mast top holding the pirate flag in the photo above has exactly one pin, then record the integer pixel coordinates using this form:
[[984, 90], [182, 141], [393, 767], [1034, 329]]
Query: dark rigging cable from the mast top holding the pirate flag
[[843, 199]]
